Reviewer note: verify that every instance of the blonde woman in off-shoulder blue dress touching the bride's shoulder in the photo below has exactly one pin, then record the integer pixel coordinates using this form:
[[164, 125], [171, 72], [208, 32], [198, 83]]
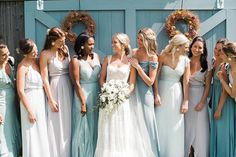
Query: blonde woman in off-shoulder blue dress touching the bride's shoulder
[[145, 62]]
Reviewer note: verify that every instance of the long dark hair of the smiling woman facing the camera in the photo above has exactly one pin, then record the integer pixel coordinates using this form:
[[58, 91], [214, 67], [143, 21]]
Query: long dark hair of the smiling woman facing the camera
[[203, 57]]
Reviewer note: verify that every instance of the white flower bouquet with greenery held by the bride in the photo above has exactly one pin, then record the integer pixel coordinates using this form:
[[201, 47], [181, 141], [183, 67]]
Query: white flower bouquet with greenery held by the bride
[[113, 93]]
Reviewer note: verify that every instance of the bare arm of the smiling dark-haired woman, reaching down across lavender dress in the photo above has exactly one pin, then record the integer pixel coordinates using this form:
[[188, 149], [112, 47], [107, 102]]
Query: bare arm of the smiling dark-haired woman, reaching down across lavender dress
[[207, 87]]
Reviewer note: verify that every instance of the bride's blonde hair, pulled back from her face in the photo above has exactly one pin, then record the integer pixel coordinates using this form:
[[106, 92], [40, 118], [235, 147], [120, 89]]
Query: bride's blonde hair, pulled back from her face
[[124, 40]]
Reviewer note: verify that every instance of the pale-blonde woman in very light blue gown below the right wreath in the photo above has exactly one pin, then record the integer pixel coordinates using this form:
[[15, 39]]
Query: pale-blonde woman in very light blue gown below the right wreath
[[173, 103]]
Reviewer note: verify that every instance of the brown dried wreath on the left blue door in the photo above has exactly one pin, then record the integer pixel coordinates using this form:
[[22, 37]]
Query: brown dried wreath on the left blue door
[[78, 17]]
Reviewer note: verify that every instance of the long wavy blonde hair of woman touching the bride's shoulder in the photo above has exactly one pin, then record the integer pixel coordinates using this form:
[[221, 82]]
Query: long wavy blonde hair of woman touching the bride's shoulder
[[149, 40]]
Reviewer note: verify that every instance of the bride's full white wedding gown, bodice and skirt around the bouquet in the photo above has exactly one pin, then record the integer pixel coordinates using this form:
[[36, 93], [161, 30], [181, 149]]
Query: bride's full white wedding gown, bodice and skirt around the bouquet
[[119, 134]]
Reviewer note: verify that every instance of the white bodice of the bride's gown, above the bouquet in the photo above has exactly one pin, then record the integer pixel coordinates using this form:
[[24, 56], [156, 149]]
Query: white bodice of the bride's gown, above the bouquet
[[117, 73]]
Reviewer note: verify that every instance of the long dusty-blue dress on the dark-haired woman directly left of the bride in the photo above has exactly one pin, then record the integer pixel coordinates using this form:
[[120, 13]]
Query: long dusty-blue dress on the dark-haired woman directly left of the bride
[[84, 133]]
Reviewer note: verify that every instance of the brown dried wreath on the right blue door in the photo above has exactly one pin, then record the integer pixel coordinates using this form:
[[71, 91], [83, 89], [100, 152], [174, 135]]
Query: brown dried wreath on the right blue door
[[188, 17]]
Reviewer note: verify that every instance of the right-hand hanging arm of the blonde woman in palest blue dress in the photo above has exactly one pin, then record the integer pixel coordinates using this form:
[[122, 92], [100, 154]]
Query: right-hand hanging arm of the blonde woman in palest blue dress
[[184, 106]]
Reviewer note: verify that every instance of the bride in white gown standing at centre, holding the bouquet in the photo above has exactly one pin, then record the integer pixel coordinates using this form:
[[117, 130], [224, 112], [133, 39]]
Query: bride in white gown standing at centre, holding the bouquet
[[123, 133]]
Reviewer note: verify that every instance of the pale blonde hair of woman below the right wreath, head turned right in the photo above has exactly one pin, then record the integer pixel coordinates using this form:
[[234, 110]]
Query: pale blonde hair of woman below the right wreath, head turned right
[[174, 44]]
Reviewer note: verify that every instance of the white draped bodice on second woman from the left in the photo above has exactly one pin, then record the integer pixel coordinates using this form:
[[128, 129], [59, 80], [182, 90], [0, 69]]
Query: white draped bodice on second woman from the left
[[33, 79]]
